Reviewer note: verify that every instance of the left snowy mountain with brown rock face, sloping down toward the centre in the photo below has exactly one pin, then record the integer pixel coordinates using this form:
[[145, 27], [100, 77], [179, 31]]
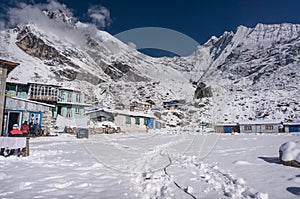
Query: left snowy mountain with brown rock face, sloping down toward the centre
[[77, 54]]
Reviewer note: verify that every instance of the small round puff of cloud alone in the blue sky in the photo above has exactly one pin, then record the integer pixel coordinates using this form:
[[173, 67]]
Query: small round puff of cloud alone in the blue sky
[[99, 15]]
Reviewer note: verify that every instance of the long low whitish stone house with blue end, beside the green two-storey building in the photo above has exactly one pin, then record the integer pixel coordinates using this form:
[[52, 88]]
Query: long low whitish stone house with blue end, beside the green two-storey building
[[128, 121]]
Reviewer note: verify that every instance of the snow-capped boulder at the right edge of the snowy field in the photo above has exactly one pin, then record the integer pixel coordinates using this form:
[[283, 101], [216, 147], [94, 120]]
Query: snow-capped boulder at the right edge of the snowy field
[[289, 153]]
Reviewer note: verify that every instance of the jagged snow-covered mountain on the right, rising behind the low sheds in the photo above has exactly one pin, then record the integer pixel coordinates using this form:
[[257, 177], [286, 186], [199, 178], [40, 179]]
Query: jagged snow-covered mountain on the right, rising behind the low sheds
[[254, 73]]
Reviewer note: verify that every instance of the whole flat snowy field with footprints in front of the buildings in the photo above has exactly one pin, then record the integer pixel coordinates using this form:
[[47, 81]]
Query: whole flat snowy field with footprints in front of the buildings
[[168, 164]]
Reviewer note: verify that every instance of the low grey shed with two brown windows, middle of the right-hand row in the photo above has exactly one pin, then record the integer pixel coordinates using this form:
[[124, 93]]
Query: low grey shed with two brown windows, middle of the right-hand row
[[260, 127]]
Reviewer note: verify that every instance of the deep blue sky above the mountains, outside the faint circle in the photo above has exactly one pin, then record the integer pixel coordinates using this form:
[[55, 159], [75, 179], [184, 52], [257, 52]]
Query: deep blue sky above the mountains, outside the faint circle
[[199, 19]]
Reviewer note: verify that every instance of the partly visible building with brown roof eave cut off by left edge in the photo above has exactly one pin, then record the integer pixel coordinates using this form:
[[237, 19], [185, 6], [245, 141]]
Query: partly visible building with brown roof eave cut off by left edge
[[5, 68]]
